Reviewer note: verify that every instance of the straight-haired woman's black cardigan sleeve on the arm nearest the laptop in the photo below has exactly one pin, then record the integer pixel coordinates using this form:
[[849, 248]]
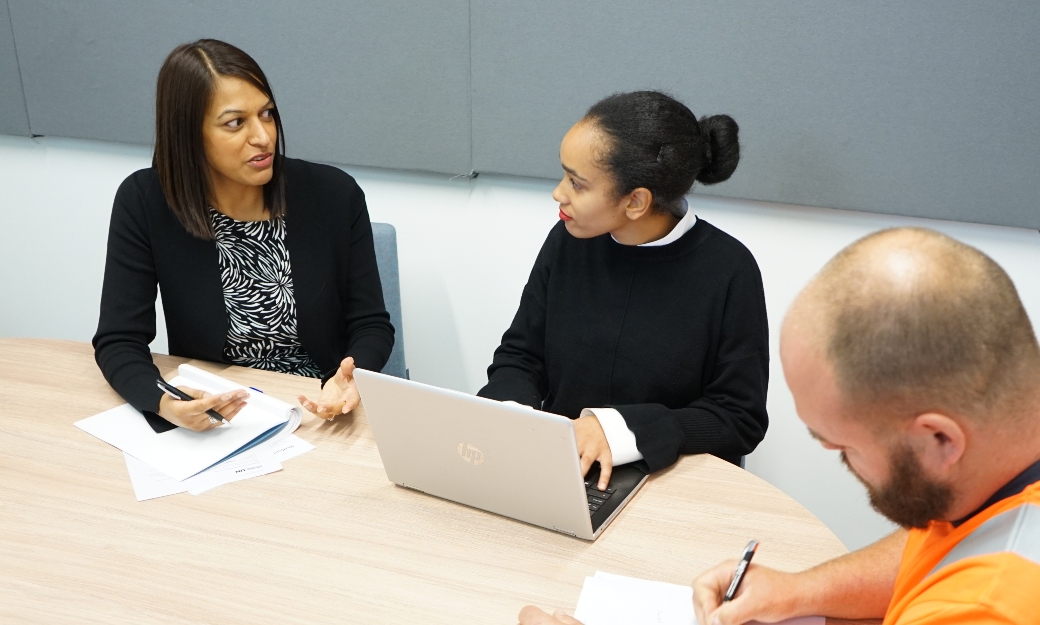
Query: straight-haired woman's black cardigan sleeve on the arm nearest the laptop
[[368, 323]]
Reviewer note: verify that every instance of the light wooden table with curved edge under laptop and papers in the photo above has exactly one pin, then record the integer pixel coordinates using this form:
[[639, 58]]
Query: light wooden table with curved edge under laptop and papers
[[327, 540]]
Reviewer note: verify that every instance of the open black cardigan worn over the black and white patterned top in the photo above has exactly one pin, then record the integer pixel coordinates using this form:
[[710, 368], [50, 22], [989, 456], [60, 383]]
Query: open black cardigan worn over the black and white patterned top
[[335, 281]]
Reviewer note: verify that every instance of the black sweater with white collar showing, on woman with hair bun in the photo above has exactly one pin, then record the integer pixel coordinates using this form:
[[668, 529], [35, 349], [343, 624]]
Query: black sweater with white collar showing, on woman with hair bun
[[673, 337]]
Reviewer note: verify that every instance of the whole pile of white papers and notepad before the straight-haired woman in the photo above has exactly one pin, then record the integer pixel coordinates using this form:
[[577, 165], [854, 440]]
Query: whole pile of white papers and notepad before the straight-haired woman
[[255, 444]]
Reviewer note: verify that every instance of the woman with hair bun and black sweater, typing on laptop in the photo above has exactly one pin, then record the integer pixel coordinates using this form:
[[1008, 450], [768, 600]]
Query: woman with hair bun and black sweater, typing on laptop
[[641, 322]]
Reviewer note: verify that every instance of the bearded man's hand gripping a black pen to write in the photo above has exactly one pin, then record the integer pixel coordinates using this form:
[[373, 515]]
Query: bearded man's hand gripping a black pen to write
[[763, 596]]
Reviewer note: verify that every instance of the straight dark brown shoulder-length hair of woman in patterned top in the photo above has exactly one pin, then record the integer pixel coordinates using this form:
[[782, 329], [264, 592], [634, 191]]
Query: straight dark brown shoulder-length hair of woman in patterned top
[[183, 93]]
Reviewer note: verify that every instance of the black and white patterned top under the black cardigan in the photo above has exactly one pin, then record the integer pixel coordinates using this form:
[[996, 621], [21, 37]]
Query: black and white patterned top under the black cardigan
[[257, 281]]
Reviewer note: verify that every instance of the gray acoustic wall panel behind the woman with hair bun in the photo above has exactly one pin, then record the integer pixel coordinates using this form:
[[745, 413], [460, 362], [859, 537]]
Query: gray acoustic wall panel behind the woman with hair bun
[[928, 109]]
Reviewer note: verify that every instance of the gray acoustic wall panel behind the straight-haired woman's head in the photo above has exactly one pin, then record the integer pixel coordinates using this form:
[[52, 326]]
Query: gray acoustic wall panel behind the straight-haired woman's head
[[373, 84]]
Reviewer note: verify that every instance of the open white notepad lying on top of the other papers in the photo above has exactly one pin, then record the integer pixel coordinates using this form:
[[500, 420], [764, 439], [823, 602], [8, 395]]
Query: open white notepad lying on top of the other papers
[[181, 453]]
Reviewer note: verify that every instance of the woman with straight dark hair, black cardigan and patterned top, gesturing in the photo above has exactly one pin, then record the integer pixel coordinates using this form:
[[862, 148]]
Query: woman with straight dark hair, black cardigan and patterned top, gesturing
[[263, 262]]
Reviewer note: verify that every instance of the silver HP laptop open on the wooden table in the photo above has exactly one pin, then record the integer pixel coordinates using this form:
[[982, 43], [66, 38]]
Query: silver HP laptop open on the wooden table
[[503, 458]]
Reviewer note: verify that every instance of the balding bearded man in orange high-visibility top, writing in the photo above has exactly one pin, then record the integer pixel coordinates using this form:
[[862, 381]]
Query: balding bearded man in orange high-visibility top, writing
[[912, 355]]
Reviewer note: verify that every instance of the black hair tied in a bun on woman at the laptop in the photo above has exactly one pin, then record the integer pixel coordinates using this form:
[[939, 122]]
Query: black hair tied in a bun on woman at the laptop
[[658, 144]]
